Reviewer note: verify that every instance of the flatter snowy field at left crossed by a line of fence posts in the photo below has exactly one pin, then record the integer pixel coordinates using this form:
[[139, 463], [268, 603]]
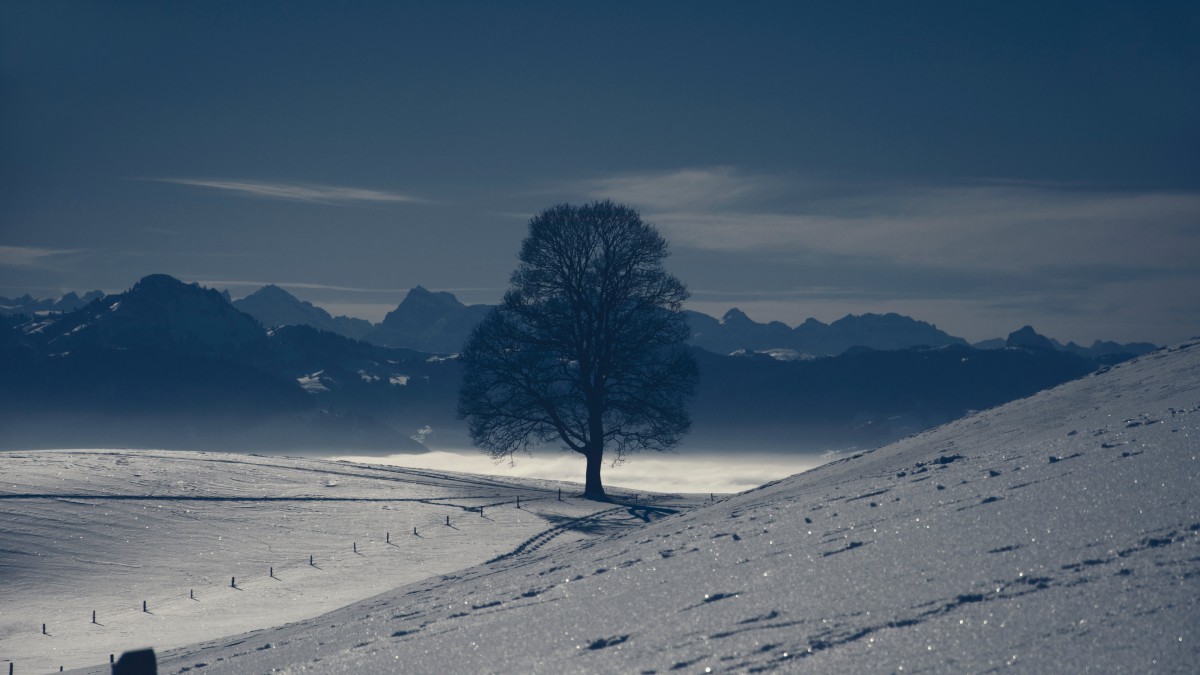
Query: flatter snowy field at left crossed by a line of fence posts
[[106, 530]]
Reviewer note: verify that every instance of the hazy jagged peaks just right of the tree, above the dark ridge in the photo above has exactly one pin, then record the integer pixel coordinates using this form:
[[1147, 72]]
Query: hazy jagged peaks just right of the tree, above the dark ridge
[[737, 332]]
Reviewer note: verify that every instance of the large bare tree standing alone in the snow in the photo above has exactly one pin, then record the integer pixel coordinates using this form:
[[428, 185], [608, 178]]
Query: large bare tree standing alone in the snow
[[586, 349]]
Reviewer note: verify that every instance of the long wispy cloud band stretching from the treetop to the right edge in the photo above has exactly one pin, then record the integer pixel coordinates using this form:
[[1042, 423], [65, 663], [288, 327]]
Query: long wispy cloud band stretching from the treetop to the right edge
[[986, 226]]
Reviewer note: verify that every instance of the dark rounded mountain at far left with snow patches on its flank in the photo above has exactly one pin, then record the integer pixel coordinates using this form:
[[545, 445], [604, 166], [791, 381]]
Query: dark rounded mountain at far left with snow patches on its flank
[[175, 366]]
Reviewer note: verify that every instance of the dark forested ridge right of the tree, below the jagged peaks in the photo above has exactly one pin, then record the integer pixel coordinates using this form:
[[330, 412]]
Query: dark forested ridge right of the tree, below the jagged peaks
[[862, 398]]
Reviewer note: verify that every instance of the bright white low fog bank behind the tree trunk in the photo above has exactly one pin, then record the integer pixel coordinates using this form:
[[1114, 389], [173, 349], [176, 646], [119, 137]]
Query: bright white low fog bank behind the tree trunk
[[661, 473]]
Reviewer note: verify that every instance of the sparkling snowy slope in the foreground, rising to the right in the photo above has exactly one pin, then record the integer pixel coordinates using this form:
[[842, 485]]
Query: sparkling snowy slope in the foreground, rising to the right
[[1058, 534]]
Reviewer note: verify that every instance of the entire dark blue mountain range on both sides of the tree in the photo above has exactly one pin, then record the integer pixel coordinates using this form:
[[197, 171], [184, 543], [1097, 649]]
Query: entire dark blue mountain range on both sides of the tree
[[175, 366]]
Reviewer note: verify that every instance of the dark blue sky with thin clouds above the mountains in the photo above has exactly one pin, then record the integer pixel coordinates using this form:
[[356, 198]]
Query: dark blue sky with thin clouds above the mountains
[[980, 166]]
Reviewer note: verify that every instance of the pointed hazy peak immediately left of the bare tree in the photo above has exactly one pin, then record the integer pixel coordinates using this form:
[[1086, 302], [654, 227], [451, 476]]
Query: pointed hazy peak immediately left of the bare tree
[[429, 322]]
